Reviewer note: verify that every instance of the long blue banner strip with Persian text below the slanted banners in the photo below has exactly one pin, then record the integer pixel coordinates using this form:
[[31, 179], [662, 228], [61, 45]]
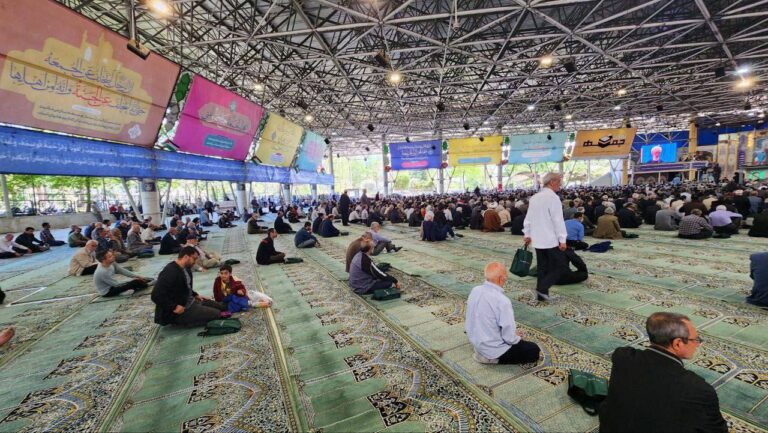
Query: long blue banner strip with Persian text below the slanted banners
[[25, 151]]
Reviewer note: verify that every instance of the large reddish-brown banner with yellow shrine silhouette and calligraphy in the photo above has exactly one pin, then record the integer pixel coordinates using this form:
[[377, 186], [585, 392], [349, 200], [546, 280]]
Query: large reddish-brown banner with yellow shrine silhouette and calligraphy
[[64, 72]]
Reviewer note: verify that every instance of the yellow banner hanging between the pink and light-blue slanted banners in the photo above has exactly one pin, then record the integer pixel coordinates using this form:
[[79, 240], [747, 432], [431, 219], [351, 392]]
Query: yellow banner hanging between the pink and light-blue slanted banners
[[279, 142]]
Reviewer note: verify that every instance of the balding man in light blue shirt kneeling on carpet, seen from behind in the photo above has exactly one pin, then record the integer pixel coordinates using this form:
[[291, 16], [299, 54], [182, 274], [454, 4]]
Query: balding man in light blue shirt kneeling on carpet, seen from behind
[[490, 323]]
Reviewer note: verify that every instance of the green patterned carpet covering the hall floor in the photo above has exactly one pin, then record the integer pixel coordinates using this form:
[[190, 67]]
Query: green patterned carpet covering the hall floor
[[324, 359]]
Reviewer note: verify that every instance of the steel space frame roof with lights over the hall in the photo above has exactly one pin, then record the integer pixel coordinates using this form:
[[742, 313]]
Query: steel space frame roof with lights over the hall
[[479, 58]]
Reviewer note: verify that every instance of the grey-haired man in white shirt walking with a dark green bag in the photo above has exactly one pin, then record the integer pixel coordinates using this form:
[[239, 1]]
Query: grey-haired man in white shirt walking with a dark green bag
[[544, 227]]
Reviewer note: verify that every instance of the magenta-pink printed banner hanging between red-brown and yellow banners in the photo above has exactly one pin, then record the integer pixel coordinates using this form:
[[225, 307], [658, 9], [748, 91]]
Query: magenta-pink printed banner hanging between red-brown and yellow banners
[[217, 122]]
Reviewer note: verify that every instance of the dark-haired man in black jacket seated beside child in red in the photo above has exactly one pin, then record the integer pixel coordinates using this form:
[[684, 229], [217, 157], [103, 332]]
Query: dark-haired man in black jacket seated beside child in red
[[176, 302]]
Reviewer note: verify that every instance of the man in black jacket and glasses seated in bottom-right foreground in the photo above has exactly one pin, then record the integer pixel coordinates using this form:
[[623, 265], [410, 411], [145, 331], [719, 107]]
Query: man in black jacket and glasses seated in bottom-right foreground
[[651, 390]]
